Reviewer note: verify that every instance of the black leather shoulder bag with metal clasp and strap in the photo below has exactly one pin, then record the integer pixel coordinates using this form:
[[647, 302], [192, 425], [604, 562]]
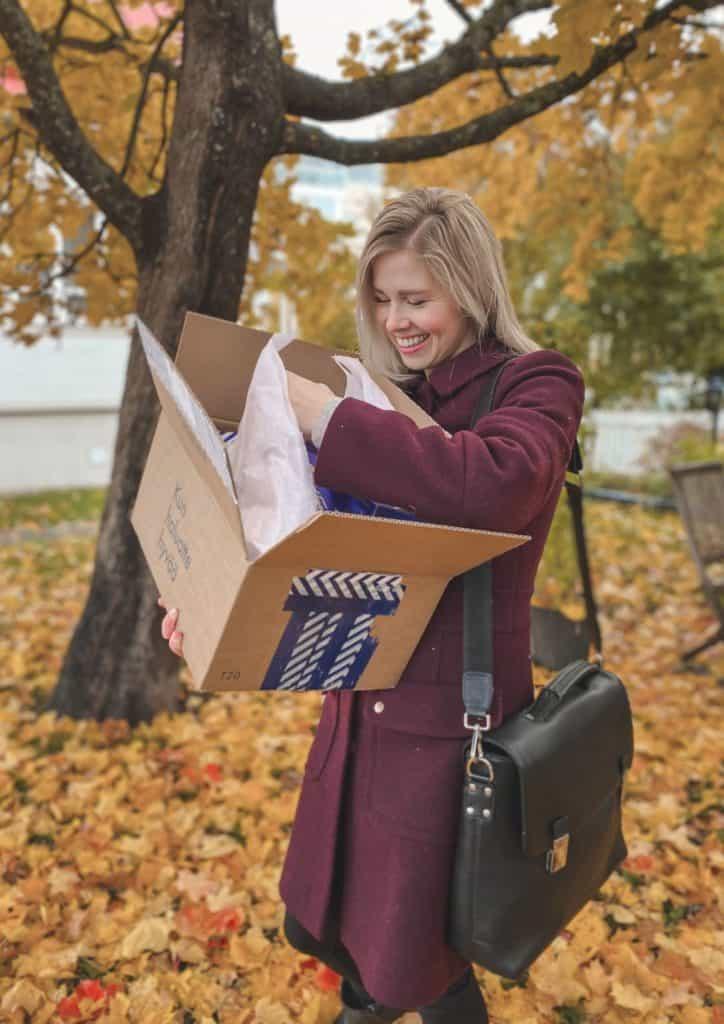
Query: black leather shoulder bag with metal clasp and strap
[[540, 825]]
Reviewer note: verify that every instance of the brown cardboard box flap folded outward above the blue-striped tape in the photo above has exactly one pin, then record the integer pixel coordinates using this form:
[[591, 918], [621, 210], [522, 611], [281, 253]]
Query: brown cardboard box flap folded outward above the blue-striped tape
[[369, 544]]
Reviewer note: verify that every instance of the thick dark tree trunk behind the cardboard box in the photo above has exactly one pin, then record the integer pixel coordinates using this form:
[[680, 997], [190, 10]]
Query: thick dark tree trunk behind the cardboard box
[[227, 126]]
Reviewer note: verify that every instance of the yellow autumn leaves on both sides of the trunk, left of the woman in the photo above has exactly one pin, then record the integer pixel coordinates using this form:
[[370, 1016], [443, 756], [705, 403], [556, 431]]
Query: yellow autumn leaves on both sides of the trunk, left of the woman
[[123, 92]]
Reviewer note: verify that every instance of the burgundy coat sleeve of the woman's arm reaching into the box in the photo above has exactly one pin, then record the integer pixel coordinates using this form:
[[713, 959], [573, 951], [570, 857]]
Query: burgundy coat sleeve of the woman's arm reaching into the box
[[497, 477]]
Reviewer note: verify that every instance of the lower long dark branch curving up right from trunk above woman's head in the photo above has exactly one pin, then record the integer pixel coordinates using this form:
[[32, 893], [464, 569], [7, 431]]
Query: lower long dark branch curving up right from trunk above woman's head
[[302, 139]]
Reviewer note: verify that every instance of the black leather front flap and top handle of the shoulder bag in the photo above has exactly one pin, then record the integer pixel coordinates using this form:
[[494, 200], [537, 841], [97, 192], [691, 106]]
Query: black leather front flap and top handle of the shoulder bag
[[571, 748]]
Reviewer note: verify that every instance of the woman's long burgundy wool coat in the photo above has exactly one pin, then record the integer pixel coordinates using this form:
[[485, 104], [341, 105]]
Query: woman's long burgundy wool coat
[[402, 749]]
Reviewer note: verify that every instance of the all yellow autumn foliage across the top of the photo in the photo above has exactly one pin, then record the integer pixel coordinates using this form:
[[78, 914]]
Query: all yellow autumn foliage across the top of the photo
[[119, 66]]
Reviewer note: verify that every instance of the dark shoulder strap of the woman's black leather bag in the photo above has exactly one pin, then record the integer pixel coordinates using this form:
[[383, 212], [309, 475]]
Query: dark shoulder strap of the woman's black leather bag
[[478, 613]]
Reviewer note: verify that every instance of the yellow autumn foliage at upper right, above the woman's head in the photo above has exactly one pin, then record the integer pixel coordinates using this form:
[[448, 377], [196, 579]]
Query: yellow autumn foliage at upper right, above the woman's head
[[646, 136]]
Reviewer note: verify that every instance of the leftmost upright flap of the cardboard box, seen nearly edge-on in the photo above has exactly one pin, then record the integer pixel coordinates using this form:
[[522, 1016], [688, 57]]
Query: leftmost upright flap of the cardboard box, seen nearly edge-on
[[200, 438]]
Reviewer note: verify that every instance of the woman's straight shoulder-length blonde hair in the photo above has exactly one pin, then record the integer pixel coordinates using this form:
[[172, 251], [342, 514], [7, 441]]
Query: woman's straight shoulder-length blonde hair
[[462, 253]]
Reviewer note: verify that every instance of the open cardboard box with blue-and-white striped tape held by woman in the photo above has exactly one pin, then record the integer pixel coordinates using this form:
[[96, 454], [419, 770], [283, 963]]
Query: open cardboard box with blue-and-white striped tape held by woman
[[338, 605]]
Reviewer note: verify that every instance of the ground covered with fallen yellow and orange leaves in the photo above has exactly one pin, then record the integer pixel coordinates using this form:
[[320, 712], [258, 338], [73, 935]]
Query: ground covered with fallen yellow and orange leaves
[[140, 869]]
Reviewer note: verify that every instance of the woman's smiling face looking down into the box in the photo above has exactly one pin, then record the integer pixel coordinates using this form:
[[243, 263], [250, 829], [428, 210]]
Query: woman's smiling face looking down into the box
[[417, 316]]
